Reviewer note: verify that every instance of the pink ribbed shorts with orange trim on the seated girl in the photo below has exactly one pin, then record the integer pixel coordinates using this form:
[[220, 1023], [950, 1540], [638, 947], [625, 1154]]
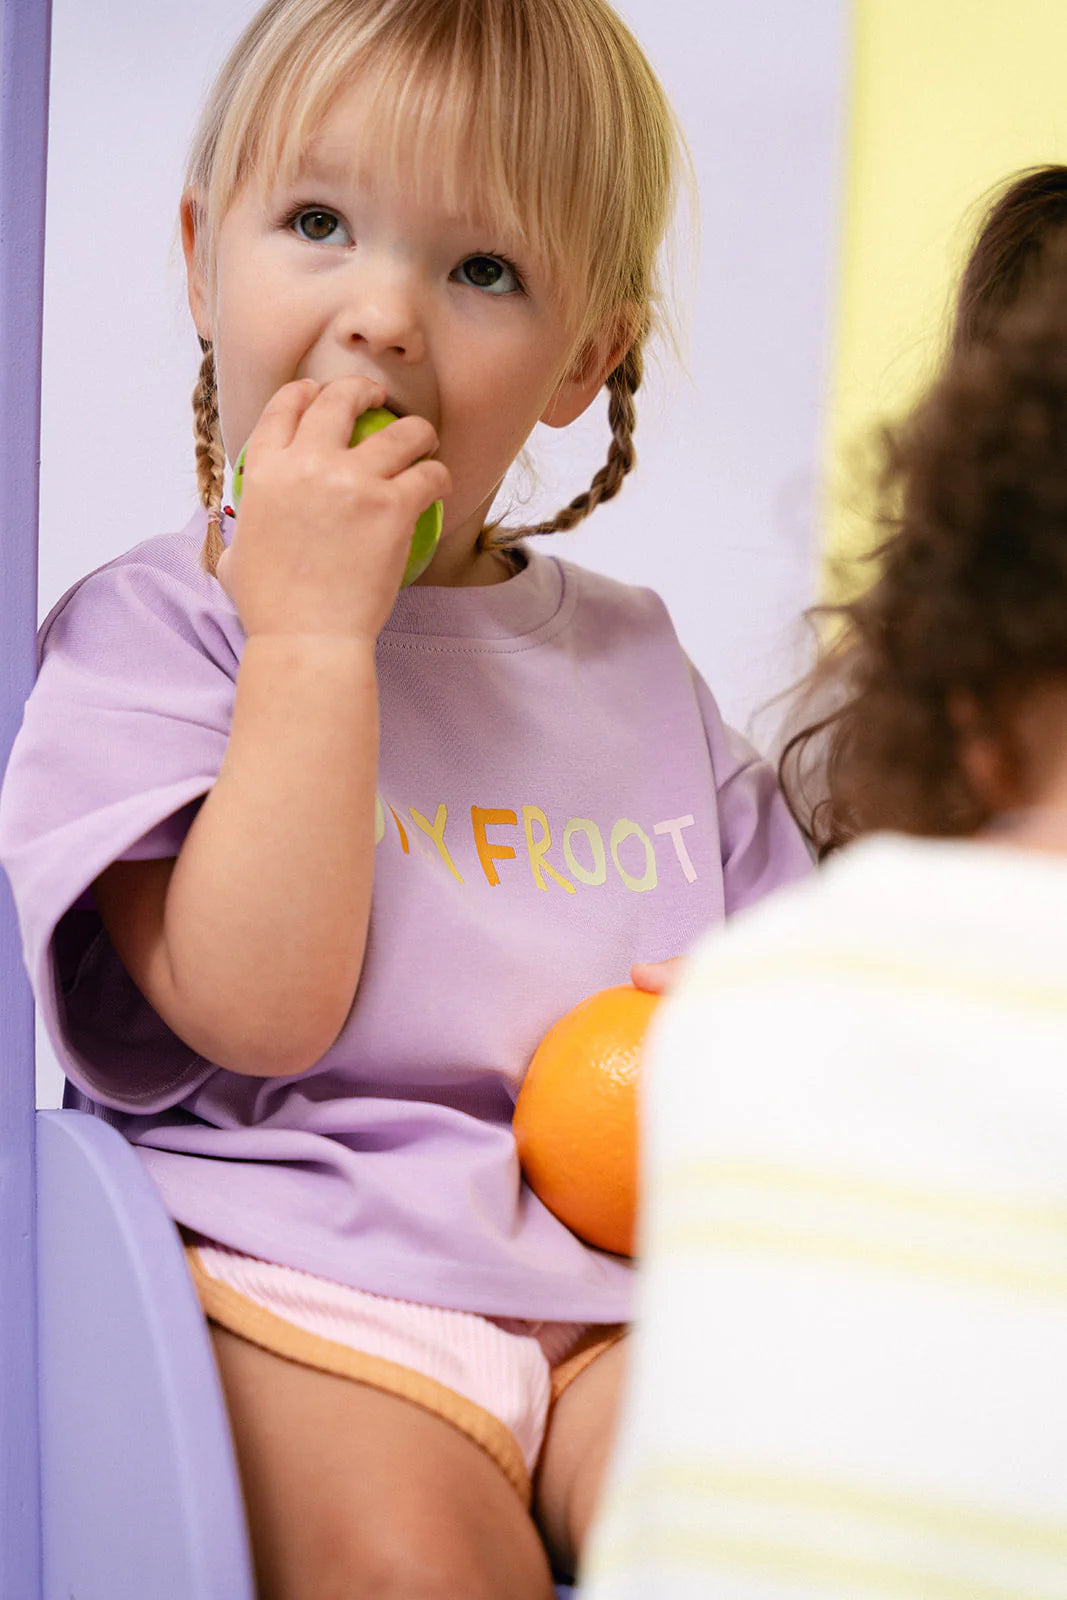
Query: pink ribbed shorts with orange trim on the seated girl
[[495, 1378]]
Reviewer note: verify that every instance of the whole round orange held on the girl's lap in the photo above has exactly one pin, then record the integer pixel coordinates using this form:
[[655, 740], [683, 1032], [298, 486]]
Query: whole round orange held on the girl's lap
[[577, 1116]]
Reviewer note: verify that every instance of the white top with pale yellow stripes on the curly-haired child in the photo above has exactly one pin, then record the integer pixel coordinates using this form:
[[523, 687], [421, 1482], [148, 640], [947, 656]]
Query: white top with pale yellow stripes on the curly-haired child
[[853, 1306]]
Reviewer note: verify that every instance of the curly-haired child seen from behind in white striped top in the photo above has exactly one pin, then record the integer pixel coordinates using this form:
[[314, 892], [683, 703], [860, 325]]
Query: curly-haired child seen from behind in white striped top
[[853, 1310]]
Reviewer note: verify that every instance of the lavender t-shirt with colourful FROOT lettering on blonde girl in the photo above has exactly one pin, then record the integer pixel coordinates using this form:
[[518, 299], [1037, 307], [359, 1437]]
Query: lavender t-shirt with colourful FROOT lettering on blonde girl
[[557, 799]]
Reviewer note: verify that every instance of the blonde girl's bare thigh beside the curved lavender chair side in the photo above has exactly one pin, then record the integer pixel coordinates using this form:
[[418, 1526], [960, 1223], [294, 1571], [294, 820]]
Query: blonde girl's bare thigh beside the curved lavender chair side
[[358, 1494]]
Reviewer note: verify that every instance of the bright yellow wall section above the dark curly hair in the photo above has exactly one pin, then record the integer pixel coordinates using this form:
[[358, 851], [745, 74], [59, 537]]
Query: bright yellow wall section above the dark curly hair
[[948, 98]]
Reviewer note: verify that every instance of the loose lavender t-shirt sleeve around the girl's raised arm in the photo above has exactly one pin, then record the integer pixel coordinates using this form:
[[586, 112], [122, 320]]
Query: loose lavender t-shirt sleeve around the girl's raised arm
[[122, 737]]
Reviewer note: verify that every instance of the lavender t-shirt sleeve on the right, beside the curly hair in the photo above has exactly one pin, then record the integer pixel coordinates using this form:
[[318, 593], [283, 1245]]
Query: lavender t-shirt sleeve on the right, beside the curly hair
[[762, 846]]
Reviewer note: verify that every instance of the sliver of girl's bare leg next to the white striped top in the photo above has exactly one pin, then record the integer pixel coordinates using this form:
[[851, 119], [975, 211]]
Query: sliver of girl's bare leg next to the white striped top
[[575, 1457]]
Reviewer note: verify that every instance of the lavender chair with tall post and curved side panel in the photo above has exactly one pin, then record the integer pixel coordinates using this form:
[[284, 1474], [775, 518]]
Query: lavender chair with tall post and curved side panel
[[118, 1476]]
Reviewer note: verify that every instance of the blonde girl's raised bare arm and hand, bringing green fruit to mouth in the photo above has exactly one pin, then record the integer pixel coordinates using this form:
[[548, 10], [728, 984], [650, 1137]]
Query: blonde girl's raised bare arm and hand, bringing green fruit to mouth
[[250, 945]]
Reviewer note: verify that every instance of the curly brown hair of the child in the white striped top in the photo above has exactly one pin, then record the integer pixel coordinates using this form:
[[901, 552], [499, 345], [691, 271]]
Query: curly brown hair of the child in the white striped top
[[969, 615]]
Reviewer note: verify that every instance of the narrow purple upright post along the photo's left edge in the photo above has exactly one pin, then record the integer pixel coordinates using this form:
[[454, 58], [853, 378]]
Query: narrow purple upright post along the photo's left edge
[[25, 36]]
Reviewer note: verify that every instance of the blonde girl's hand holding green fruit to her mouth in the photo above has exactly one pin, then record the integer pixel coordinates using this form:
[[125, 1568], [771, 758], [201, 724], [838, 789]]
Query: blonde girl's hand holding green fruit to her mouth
[[324, 529]]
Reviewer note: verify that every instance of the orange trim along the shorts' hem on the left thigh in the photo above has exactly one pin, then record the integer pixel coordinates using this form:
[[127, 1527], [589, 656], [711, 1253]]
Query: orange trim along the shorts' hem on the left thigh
[[244, 1318]]
